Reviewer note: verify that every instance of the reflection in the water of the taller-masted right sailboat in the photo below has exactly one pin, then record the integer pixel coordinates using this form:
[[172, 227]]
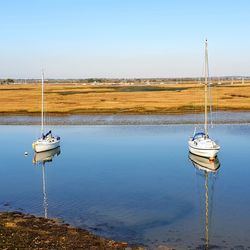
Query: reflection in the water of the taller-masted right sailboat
[[211, 168]]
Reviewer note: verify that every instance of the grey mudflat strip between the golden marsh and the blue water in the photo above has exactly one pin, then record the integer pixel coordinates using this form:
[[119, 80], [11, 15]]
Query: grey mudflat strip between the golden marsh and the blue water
[[217, 117]]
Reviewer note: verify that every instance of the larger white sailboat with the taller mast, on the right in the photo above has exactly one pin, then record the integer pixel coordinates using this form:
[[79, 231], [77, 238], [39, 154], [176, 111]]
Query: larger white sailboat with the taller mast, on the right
[[200, 143]]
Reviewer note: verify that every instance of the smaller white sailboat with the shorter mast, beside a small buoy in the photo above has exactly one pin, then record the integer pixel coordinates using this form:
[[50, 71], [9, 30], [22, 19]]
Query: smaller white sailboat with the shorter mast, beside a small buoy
[[46, 141]]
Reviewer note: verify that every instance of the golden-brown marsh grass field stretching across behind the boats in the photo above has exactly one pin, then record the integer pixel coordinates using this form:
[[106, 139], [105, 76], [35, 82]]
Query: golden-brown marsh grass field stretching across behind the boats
[[63, 99]]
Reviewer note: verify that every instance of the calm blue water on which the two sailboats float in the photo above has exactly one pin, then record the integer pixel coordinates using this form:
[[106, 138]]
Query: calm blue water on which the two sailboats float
[[133, 183]]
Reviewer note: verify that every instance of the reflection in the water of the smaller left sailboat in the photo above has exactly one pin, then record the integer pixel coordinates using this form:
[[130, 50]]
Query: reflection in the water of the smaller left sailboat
[[41, 159]]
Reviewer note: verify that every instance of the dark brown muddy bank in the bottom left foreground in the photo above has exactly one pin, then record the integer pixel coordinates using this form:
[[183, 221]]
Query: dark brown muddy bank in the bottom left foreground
[[21, 231]]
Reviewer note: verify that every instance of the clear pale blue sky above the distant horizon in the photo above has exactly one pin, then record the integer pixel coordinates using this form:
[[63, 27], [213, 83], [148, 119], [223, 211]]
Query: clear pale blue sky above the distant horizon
[[123, 38]]
